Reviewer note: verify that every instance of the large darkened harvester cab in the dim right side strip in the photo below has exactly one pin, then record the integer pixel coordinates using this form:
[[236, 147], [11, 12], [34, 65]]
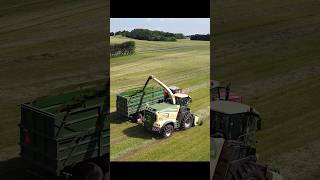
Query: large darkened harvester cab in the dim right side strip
[[234, 121]]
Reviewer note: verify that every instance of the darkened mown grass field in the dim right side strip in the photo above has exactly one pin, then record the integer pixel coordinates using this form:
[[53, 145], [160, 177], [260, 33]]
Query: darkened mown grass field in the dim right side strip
[[269, 51]]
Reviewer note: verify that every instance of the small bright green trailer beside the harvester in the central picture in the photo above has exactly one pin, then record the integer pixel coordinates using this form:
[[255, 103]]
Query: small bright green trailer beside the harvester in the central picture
[[132, 102]]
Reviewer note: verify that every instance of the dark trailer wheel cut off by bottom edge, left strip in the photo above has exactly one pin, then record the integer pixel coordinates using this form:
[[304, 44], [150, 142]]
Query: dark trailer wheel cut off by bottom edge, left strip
[[88, 171]]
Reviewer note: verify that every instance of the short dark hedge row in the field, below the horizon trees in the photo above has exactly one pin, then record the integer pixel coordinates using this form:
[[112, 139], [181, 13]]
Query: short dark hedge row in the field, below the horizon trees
[[122, 49]]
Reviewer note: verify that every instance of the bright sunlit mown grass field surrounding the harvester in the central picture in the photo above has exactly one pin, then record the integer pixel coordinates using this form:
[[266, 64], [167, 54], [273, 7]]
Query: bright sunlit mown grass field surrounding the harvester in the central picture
[[183, 63]]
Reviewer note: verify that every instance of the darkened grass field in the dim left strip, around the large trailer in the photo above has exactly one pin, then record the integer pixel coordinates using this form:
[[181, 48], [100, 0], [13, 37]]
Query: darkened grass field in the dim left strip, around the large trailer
[[44, 45]]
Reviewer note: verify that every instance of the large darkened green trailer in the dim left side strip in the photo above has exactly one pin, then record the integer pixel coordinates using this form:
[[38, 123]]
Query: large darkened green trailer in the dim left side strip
[[66, 135]]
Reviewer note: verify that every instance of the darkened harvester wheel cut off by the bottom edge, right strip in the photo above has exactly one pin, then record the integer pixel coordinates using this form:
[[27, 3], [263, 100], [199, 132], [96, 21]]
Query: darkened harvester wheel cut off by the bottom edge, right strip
[[249, 171]]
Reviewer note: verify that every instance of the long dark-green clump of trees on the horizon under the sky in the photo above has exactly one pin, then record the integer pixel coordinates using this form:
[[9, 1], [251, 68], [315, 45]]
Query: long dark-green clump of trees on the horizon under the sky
[[149, 35]]
